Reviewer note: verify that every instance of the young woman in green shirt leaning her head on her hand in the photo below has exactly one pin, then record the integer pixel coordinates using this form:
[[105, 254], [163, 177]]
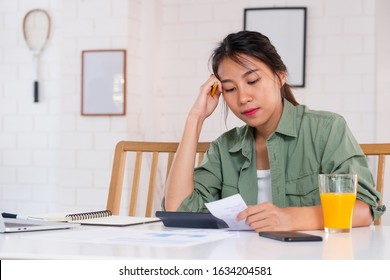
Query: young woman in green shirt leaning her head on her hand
[[274, 160]]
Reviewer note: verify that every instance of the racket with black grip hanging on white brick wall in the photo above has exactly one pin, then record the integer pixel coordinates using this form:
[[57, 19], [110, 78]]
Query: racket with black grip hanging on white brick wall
[[36, 31]]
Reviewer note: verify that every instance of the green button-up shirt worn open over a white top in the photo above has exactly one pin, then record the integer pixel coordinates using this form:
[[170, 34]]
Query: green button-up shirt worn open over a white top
[[306, 143]]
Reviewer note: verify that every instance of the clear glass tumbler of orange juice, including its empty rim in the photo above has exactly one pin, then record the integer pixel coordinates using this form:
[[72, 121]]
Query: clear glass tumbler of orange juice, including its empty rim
[[338, 196]]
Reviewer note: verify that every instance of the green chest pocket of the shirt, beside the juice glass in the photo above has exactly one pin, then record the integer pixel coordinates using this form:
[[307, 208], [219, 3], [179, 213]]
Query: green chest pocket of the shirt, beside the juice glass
[[303, 191]]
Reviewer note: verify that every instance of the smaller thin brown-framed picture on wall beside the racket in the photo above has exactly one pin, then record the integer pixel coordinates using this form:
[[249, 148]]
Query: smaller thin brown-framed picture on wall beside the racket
[[103, 83]]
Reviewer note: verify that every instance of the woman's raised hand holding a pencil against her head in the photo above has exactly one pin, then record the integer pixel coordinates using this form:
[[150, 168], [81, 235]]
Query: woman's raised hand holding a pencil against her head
[[205, 104]]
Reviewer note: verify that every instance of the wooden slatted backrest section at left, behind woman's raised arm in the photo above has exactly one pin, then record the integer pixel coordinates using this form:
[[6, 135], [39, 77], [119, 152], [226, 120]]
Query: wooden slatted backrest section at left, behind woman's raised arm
[[141, 149]]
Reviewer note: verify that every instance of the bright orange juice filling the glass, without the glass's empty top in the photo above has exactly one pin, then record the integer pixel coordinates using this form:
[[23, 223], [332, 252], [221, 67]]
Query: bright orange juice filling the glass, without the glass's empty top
[[337, 210]]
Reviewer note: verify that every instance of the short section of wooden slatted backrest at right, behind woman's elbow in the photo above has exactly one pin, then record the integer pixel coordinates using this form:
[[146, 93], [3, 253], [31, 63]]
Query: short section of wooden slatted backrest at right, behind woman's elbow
[[380, 151]]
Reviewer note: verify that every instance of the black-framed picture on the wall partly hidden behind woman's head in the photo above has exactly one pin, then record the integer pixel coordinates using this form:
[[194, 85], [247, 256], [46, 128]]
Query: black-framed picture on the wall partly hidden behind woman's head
[[286, 28]]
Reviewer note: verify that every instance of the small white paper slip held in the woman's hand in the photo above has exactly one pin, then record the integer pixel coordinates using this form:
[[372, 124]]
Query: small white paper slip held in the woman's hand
[[227, 209]]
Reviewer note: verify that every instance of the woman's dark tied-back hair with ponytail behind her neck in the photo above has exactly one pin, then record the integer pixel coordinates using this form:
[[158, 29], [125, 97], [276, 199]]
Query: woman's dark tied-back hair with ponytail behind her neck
[[256, 45]]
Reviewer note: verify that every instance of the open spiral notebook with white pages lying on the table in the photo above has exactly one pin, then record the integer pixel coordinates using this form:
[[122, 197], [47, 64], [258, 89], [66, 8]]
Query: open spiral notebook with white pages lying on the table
[[102, 218]]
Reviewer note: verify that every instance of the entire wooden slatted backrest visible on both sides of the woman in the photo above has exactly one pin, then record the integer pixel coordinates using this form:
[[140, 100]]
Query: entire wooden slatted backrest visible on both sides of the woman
[[170, 148]]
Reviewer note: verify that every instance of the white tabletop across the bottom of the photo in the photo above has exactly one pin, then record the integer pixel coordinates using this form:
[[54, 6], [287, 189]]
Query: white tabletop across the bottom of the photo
[[361, 243]]
